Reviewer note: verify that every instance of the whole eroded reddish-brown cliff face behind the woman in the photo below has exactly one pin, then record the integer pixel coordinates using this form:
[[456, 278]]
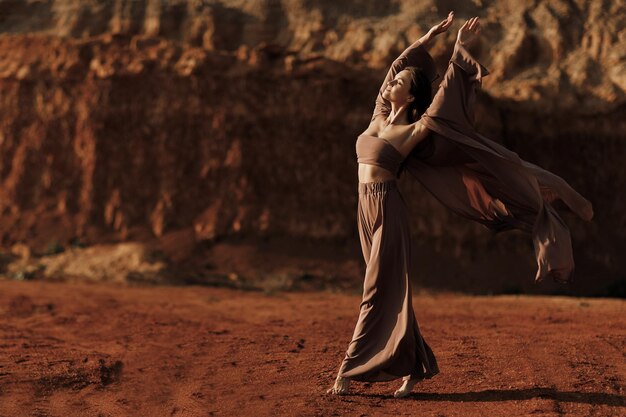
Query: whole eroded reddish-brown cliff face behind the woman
[[142, 120]]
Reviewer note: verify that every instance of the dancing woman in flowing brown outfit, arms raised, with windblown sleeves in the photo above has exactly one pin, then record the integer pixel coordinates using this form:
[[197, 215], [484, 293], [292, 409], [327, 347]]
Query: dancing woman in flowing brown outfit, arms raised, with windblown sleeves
[[470, 174]]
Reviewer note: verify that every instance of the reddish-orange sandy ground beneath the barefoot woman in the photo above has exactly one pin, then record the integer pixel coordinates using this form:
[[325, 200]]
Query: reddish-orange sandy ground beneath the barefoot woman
[[101, 350]]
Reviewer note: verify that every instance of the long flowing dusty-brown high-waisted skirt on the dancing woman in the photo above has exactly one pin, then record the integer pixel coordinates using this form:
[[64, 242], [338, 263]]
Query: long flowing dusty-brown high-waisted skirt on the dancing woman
[[387, 343]]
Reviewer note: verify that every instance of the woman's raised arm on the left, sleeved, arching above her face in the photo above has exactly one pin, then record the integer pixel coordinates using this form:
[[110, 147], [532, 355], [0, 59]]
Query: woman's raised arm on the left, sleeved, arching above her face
[[414, 55]]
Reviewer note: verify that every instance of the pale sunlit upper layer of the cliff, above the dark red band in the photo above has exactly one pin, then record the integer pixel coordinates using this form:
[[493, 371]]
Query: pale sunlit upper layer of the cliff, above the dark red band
[[557, 55]]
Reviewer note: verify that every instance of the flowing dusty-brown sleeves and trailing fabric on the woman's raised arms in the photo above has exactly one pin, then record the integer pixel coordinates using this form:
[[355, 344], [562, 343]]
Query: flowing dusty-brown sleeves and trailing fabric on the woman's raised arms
[[480, 179]]
